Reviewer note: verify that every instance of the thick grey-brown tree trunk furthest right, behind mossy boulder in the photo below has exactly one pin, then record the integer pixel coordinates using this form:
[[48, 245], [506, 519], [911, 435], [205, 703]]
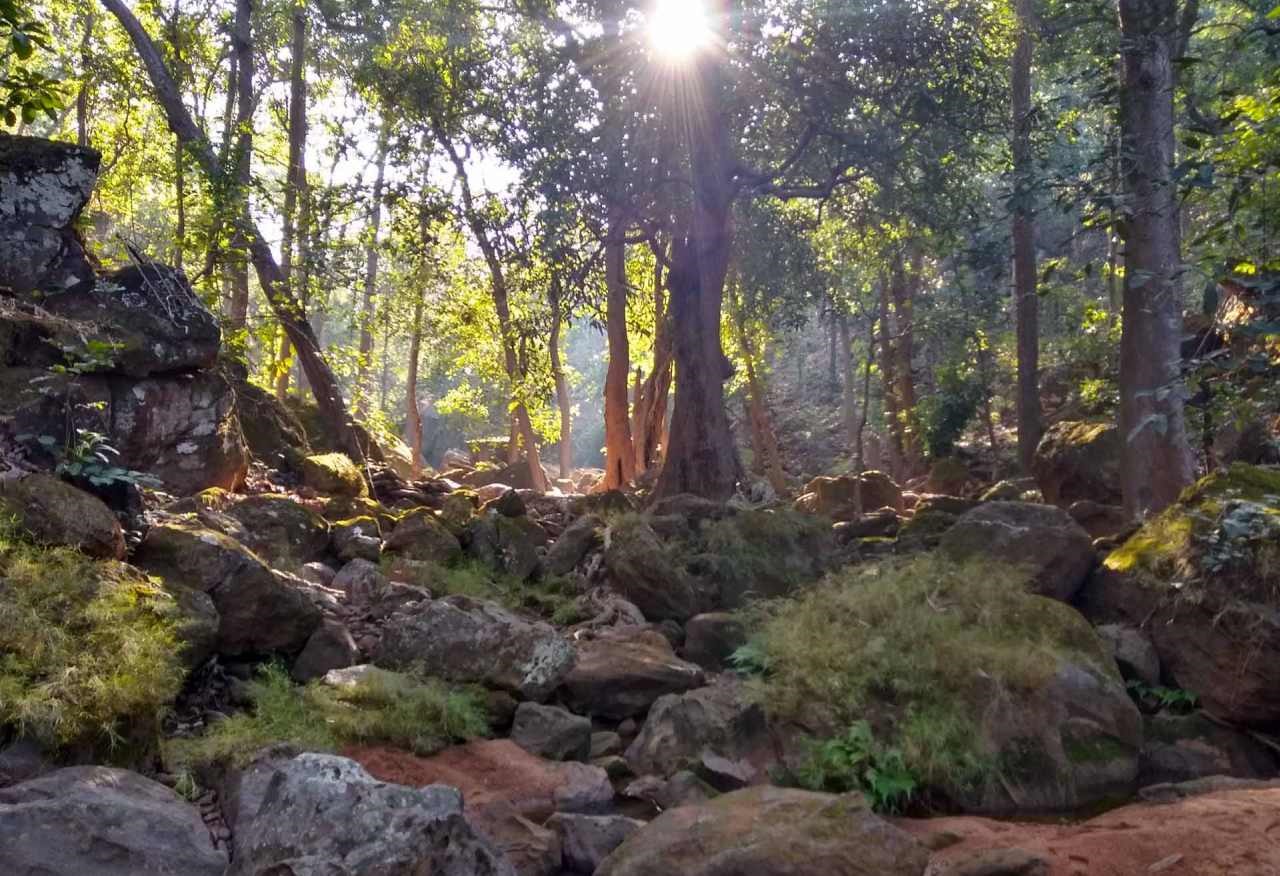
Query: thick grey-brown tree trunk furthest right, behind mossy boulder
[[1156, 459]]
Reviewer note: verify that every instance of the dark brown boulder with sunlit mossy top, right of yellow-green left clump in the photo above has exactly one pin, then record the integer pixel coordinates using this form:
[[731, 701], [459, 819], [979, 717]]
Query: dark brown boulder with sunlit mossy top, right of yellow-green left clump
[[259, 610]]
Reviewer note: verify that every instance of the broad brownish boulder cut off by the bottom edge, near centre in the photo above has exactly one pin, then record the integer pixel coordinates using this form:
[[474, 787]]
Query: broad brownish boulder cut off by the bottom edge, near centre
[[770, 832]]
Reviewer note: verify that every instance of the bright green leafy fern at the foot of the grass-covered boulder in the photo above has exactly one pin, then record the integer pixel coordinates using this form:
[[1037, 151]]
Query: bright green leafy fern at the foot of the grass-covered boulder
[[857, 763]]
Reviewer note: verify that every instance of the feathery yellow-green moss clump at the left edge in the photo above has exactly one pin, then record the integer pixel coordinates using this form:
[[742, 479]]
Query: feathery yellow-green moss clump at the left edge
[[89, 650]]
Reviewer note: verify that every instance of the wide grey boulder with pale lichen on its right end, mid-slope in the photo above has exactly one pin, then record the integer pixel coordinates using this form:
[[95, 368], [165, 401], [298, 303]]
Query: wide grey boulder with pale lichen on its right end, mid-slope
[[470, 641]]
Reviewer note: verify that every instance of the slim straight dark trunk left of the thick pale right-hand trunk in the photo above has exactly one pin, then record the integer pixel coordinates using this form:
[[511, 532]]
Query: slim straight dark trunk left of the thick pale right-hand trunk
[[1026, 300]]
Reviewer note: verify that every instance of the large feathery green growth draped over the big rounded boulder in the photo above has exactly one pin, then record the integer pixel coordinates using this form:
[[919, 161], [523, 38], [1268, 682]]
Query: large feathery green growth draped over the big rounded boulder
[[913, 646]]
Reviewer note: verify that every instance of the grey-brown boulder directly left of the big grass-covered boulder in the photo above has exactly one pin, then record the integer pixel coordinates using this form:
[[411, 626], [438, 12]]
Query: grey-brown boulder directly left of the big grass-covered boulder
[[683, 728]]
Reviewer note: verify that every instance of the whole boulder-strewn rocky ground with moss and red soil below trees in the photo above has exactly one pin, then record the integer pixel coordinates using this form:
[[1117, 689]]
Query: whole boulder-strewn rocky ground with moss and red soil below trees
[[266, 659]]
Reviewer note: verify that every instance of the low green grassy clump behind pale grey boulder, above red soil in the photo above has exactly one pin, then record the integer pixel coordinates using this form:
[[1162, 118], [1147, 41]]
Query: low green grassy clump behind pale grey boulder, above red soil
[[420, 715]]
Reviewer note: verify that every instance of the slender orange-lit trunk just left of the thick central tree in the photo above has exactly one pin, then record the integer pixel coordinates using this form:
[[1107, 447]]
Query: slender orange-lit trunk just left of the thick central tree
[[620, 467]]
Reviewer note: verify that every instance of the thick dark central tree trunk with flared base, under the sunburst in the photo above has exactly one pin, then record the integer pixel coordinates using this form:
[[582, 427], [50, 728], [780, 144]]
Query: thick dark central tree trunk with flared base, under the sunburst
[[702, 458]]
